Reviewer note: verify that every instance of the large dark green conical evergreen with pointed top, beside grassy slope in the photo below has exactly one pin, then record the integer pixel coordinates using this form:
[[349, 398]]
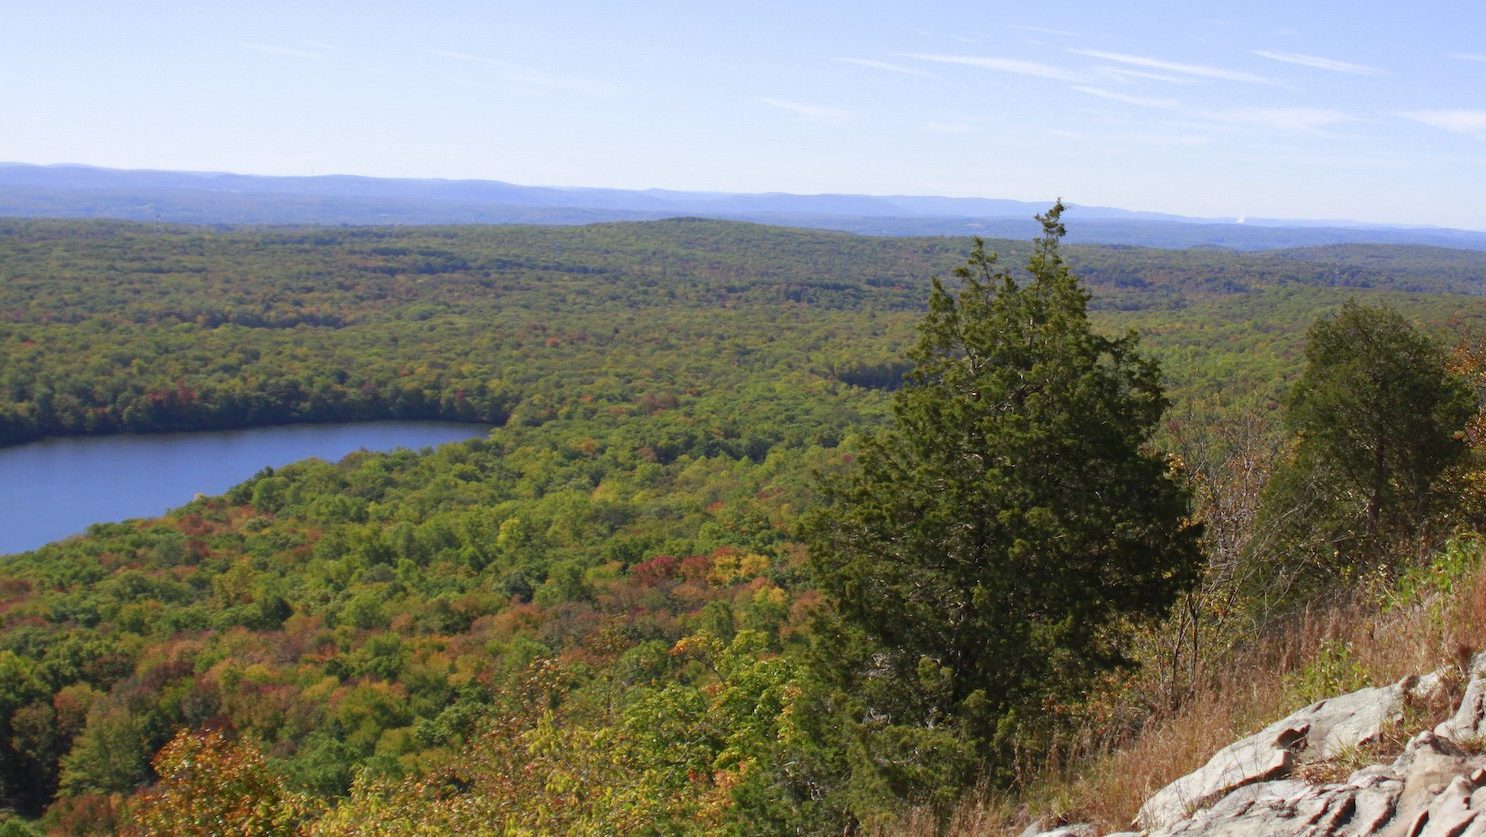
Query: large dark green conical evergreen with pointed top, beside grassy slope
[[983, 557]]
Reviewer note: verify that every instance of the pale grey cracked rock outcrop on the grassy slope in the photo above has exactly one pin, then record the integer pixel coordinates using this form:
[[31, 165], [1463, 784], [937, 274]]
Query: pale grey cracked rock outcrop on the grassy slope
[[1435, 789]]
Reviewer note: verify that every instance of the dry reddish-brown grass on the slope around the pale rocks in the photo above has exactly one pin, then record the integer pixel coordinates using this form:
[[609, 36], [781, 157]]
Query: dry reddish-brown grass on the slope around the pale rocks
[[1109, 781]]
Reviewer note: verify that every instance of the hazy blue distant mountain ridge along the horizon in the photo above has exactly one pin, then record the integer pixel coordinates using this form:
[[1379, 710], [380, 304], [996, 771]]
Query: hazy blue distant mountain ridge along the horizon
[[222, 198]]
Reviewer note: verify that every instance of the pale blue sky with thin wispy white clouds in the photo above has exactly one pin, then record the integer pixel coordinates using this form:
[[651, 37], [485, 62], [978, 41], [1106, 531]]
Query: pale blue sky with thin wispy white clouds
[[1363, 111]]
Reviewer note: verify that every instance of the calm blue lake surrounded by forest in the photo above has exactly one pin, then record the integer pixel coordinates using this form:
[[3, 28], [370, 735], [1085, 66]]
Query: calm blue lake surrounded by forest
[[57, 487]]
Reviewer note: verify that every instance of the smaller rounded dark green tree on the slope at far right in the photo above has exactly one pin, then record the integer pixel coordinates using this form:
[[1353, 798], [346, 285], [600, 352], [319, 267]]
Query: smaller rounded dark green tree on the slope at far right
[[1375, 420]]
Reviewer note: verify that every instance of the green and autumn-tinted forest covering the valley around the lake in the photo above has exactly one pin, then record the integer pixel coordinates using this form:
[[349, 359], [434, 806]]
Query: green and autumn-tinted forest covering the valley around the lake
[[600, 616]]
